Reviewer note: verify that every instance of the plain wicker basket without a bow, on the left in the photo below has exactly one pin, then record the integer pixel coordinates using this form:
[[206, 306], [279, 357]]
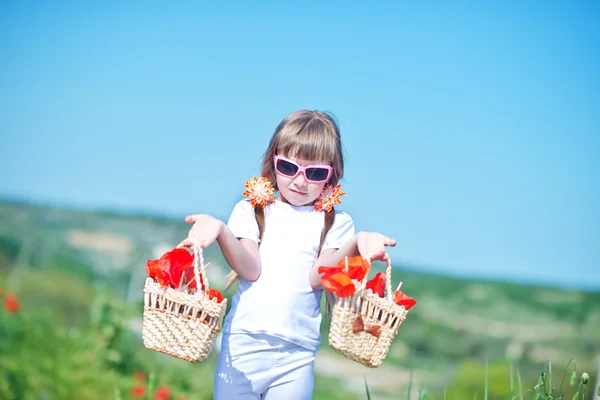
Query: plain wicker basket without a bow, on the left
[[181, 324]]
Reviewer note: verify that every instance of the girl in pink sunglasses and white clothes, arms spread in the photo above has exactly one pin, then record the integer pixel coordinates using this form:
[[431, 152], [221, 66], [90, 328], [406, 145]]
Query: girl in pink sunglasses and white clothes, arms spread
[[274, 247]]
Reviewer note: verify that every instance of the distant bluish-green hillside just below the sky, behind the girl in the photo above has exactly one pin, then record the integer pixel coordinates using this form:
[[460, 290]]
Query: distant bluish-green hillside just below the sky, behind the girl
[[455, 319]]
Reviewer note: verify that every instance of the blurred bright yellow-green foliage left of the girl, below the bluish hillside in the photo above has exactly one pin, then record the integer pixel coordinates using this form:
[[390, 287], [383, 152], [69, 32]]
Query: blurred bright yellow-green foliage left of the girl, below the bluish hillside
[[44, 357]]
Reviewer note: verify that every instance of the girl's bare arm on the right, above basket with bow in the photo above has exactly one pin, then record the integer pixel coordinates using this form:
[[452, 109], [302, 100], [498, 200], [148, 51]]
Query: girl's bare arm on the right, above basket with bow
[[369, 245]]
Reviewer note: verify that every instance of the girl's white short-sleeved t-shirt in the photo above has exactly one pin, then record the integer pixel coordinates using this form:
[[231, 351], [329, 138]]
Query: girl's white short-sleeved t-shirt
[[281, 301]]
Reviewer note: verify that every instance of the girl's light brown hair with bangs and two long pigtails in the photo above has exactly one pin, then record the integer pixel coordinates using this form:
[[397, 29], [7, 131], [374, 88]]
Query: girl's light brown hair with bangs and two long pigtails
[[308, 135]]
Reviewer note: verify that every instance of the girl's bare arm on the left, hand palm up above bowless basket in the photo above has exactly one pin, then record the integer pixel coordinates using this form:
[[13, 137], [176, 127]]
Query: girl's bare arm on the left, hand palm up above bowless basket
[[241, 254]]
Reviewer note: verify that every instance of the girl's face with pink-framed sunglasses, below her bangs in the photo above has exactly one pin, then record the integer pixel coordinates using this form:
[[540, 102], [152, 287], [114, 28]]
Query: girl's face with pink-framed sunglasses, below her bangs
[[298, 190]]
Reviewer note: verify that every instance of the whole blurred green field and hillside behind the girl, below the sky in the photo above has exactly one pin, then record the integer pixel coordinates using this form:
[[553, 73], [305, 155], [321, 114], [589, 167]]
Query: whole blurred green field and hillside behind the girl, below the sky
[[78, 277]]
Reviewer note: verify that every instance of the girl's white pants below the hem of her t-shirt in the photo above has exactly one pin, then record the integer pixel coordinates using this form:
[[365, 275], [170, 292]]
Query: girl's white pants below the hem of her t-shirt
[[263, 367]]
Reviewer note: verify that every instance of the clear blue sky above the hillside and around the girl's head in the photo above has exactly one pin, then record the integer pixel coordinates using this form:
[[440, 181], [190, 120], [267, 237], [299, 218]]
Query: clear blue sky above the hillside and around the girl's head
[[471, 129]]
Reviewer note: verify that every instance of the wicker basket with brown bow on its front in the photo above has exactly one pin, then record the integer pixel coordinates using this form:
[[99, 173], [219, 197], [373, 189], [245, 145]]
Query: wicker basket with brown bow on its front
[[364, 325]]
